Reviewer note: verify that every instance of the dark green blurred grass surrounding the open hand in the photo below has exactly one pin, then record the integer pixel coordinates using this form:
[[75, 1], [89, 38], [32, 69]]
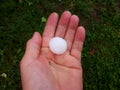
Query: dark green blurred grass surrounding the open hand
[[19, 19]]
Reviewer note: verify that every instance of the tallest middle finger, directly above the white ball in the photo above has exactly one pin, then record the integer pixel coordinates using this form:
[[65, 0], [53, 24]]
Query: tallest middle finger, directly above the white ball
[[63, 24]]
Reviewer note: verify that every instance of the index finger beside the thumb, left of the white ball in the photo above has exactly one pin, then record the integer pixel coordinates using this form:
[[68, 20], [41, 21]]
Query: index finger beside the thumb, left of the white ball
[[49, 29]]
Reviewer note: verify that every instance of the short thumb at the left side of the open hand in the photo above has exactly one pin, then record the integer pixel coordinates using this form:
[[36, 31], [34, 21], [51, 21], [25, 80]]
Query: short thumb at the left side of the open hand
[[33, 46]]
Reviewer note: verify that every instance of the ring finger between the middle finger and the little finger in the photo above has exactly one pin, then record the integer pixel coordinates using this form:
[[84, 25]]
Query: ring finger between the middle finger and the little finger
[[74, 20]]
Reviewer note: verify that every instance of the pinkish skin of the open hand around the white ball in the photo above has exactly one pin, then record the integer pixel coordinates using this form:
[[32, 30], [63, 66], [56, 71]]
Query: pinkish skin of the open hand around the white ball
[[43, 70]]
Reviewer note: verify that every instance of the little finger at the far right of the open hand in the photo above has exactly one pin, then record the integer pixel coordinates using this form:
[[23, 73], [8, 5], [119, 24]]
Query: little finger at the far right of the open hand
[[78, 42]]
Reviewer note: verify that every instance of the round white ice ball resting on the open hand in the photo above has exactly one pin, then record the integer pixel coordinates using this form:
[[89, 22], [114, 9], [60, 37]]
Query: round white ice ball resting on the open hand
[[58, 45]]
